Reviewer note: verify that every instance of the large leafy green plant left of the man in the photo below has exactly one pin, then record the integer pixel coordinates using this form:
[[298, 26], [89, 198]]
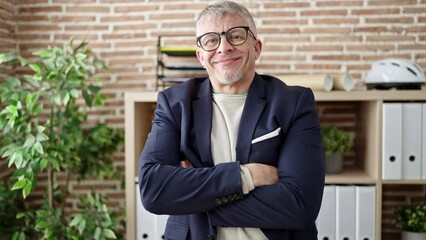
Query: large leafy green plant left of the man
[[45, 132]]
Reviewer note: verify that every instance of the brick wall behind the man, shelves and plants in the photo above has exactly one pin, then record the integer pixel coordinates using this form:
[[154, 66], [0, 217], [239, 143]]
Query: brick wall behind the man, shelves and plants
[[322, 36]]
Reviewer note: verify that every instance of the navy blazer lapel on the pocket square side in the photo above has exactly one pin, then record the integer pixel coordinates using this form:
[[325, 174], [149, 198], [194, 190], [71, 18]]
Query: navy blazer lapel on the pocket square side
[[253, 108]]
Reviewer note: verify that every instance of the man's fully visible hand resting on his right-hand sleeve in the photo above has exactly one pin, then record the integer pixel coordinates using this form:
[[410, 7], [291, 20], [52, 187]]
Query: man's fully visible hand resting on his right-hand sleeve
[[262, 174]]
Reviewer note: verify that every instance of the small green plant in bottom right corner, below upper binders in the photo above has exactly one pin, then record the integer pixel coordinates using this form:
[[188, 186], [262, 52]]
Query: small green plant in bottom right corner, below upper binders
[[410, 218]]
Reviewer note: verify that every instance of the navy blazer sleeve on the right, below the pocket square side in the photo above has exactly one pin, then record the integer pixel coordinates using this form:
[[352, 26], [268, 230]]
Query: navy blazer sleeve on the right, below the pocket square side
[[294, 202]]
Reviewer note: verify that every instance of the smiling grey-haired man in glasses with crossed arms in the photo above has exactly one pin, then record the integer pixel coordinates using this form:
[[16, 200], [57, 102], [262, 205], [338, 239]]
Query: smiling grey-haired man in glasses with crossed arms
[[237, 155]]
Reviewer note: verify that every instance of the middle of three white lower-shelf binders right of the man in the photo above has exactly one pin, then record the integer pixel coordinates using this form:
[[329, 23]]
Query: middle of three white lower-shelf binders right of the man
[[345, 212]]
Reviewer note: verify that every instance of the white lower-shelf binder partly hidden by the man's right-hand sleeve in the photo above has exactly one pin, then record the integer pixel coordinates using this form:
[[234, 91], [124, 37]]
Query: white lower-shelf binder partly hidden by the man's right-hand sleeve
[[326, 218]]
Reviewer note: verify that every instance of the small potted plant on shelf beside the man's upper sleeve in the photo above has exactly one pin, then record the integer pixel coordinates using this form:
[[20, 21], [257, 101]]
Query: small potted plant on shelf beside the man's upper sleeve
[[335, 142]]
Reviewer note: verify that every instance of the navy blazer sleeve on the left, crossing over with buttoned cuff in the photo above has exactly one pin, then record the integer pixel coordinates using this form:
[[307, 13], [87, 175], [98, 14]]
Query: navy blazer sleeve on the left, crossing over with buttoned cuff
[[167, 188]]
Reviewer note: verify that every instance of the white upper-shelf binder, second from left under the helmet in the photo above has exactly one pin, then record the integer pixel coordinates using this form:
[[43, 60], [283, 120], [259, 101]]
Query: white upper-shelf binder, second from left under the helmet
[[411, 140]]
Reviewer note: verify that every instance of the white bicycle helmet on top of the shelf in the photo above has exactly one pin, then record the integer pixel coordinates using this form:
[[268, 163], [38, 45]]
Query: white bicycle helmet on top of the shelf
[[394, 72]]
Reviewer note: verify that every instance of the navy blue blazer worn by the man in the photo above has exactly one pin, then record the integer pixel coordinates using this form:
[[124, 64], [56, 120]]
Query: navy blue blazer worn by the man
[[207, 196]]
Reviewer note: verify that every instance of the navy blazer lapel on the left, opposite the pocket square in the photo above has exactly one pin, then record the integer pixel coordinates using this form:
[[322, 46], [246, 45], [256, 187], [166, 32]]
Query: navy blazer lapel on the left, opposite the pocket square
[[203, 110]]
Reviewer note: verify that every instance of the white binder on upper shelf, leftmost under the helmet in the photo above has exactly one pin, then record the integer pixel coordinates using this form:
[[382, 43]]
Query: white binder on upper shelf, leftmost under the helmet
[[392, 143]]
